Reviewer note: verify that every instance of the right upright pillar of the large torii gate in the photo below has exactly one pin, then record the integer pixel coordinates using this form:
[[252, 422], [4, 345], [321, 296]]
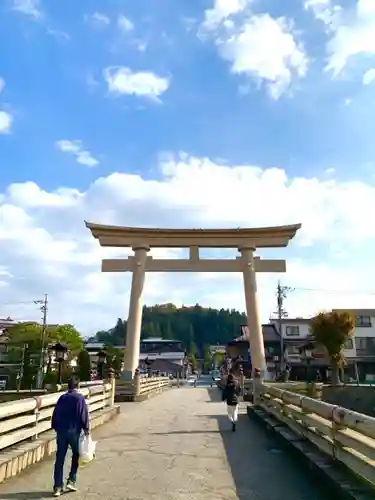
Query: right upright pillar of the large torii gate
[[258, 358]]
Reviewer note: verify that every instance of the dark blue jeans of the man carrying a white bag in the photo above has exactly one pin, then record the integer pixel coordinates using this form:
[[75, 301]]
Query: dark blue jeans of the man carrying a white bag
[[63, 441]]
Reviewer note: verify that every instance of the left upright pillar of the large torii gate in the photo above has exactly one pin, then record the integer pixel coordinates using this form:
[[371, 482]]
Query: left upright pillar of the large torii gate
[[134, 324]]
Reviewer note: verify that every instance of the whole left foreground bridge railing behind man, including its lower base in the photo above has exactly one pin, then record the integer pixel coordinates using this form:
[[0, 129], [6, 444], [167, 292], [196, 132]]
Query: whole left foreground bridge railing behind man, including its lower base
[[25, 425]]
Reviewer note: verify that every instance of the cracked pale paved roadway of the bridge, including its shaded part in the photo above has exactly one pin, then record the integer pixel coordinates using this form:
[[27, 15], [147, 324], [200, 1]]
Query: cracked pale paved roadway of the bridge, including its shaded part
[[177, 446]]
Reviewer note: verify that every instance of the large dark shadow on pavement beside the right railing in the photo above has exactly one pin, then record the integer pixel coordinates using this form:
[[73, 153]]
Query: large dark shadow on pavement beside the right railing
[[260, 469]]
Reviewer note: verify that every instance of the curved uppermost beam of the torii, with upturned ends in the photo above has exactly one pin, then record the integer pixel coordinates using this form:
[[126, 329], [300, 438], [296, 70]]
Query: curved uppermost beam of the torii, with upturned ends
[[263, 237]]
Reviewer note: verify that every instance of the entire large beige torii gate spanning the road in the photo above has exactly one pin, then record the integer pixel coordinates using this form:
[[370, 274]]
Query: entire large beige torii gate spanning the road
[[141, 240]]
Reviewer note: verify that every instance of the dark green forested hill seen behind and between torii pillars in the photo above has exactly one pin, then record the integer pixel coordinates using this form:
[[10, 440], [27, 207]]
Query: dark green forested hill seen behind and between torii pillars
[[192, 325]]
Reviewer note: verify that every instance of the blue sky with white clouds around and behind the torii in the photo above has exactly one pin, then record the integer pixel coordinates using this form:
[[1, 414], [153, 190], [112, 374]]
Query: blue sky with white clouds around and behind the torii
[[174, 113]]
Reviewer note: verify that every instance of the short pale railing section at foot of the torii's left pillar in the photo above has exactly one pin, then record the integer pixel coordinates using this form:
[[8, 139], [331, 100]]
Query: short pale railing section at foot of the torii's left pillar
[[141, 388]]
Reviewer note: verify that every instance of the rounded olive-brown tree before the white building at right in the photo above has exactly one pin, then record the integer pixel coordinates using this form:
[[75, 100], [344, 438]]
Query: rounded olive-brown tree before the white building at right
[[332, 330]]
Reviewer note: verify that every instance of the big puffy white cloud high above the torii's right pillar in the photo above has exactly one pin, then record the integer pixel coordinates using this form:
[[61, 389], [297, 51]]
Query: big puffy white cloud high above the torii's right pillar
[[258, 46]]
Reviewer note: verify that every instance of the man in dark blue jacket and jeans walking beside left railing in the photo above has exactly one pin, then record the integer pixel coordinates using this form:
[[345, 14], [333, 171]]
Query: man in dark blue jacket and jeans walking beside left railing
[[70, 417]]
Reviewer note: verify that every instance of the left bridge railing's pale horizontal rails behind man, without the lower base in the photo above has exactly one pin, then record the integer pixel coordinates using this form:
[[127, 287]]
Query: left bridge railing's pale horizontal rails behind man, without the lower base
[[28, 418]]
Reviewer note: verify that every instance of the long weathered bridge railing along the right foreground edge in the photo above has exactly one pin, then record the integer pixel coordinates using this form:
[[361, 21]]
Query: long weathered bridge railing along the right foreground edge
[[345, 435]]
